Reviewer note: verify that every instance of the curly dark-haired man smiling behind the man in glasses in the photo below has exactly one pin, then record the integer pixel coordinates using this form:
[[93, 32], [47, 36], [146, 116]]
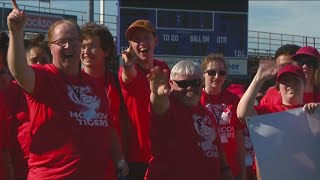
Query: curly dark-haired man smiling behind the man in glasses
[[97, 50]]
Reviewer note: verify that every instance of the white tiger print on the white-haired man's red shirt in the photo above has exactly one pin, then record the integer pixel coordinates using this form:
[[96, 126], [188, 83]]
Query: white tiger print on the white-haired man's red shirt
[[204, 128]]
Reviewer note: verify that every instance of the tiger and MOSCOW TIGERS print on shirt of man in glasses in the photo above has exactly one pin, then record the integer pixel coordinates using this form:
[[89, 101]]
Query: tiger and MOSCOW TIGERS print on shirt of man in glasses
[[90, 103]]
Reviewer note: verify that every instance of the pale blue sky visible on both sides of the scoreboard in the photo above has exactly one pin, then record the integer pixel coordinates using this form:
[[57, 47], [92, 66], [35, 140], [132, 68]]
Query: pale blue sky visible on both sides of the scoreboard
[[288, 17]]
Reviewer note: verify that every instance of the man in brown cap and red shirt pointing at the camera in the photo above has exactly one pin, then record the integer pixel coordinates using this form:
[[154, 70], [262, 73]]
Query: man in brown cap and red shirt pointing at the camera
[[138, 59]]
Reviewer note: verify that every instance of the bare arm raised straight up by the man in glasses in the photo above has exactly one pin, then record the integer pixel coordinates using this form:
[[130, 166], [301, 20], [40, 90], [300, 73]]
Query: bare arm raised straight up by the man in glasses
[[17, 59]]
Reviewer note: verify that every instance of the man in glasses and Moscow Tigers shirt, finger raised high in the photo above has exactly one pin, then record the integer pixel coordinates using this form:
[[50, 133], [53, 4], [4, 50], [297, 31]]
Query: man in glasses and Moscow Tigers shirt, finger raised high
[[70, 124]]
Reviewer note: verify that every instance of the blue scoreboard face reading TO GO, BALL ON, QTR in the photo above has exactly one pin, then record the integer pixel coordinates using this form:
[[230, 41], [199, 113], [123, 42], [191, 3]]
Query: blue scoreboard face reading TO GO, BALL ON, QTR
[[191, 32]]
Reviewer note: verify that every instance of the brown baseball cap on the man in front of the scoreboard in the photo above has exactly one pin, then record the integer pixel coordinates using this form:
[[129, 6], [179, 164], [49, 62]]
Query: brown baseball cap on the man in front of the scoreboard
[[141, 23]]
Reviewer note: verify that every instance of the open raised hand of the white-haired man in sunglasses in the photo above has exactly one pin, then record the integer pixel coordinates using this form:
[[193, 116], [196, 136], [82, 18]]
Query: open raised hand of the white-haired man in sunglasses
[[158, 79]]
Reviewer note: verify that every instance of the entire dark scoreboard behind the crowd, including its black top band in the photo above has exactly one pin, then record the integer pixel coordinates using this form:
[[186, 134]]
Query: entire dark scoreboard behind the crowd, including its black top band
[[192, 30]]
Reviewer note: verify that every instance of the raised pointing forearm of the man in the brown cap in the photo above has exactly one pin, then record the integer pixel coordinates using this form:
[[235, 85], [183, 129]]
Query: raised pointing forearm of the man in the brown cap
[[129, 72]]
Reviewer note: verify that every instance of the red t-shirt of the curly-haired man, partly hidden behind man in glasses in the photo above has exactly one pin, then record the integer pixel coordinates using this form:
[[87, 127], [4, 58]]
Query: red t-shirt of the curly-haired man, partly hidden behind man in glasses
[[113, 99]]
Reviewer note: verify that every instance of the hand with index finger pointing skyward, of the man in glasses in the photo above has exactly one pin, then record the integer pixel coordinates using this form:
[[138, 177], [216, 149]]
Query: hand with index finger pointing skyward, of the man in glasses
[[16, 19]]
